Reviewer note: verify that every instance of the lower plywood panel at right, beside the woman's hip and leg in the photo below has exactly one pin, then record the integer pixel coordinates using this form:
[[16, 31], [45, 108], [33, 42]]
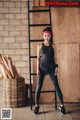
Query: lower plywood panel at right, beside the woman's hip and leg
[[69, 71]]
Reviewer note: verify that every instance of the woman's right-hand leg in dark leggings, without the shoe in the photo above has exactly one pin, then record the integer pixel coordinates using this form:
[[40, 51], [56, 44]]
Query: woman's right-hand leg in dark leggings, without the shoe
[[56, 85]]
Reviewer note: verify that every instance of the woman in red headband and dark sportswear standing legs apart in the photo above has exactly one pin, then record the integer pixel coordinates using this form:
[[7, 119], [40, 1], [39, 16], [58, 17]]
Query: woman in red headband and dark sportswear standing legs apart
[[47, 65]]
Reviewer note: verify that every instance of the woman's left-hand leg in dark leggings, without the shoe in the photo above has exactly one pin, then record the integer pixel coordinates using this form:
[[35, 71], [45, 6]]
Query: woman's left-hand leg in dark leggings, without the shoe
[[39, 87]]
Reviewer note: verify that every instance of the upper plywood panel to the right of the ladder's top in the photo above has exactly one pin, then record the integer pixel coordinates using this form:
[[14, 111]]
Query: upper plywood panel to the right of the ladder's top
[[66, 25]]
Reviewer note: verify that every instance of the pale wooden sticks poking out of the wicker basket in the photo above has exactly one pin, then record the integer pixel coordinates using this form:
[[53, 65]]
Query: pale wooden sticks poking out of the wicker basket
[[8, 70]]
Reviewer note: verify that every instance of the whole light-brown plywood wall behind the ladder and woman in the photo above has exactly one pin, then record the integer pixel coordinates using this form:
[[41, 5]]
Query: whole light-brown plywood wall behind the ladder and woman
[[65, 32]]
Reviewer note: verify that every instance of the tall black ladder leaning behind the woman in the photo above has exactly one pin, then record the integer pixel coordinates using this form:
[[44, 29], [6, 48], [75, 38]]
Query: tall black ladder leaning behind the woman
[[37, 40]]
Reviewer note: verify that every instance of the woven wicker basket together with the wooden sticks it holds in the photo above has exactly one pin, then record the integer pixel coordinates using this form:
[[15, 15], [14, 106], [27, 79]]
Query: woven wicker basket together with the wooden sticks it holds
[[14, 89]]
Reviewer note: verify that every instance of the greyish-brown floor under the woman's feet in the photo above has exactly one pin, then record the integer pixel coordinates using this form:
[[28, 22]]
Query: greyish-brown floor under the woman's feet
[[47, 112]]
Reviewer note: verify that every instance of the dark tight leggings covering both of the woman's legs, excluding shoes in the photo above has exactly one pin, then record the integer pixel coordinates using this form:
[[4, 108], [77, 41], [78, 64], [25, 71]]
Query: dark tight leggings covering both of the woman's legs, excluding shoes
[[40, 83]]
